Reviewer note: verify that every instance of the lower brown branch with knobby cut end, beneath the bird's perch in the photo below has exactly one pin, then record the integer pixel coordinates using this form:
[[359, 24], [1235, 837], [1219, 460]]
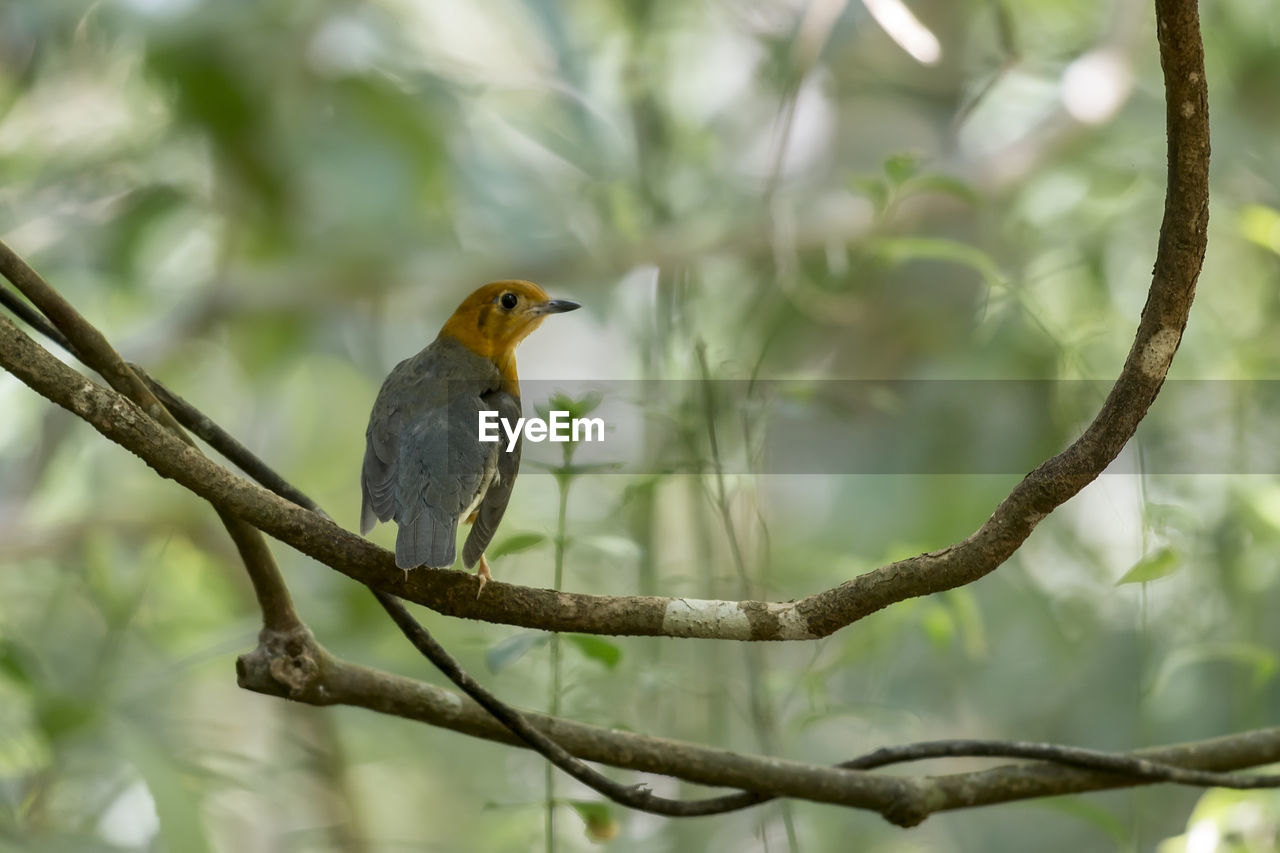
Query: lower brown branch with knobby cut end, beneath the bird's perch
[[295, 667]]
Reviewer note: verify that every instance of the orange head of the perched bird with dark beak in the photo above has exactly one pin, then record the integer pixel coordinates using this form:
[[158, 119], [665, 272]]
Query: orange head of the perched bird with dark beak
[[499, 317]]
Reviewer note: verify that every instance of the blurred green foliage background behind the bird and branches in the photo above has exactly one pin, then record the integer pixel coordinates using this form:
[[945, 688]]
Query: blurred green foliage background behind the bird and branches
[[269, 204]]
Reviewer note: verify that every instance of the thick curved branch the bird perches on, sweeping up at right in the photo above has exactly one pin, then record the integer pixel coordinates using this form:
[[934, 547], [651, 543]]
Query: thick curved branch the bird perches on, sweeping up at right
[[1178, 262]]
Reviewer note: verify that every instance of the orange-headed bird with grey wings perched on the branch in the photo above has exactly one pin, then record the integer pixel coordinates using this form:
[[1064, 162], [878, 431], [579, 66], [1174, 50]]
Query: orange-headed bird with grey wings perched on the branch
[[426, 466]]
